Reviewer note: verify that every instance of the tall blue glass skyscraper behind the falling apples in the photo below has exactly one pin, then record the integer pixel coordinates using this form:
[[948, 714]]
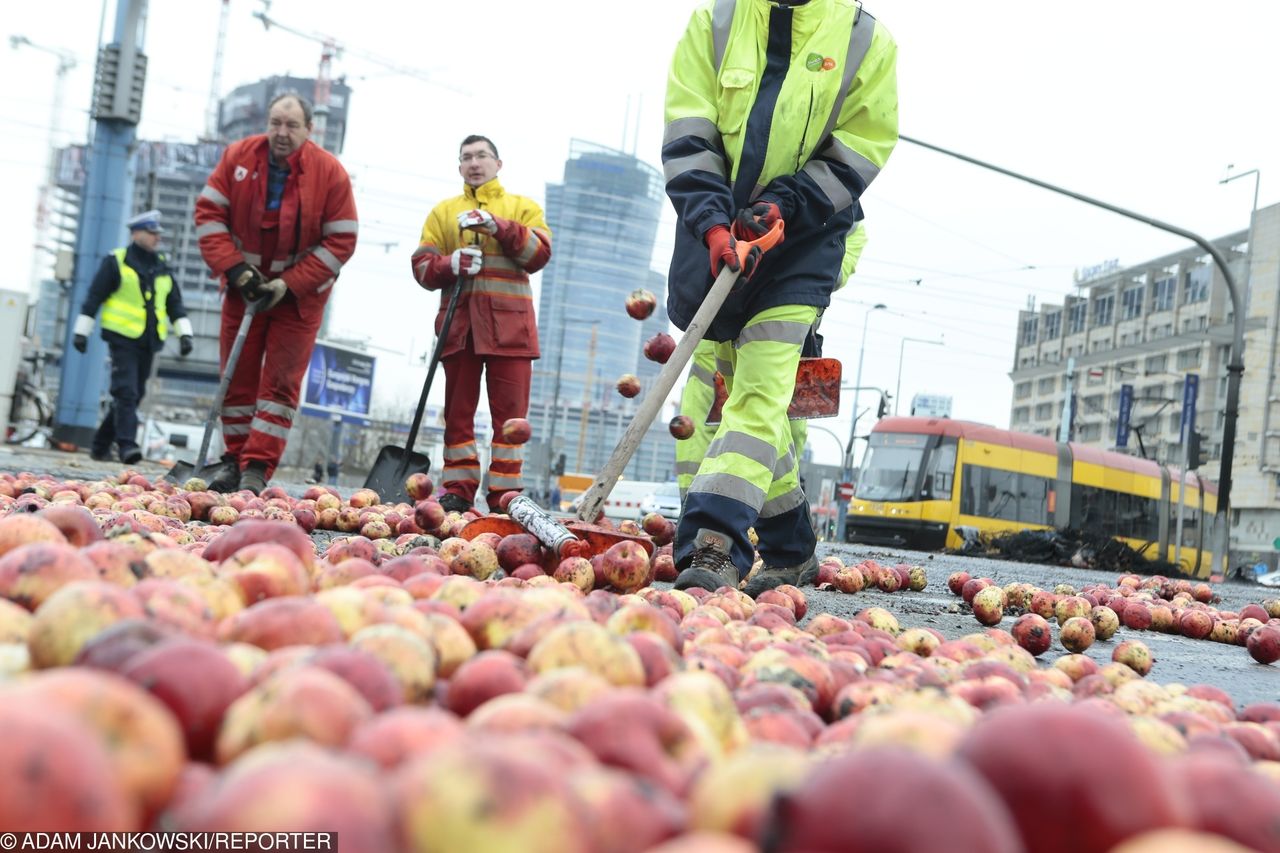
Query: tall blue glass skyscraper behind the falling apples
[[605, 221]]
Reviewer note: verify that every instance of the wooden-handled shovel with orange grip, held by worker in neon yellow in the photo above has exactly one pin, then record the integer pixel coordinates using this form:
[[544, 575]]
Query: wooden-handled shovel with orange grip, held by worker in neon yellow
[[582, 537]]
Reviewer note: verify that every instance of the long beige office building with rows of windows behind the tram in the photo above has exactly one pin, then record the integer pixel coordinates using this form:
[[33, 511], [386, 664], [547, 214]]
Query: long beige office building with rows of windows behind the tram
[[1150, 327]]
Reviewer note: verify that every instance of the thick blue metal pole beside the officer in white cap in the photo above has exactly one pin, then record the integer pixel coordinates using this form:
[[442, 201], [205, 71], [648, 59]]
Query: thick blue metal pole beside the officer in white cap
[[106, 207]]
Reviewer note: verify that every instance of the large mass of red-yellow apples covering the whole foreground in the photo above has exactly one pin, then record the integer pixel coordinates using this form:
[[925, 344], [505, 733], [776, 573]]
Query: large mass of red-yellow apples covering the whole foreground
[[449, 695]]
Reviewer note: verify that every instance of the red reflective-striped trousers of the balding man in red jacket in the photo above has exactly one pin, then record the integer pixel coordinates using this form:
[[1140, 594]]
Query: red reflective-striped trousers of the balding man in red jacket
[[263, 398]]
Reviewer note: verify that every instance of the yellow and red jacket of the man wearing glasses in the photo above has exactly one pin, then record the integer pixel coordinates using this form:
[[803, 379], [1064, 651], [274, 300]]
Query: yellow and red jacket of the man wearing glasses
[[497, 309]]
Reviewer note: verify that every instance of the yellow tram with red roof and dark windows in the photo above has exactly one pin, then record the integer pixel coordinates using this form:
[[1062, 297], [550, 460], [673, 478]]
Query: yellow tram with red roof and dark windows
[[924, 478]]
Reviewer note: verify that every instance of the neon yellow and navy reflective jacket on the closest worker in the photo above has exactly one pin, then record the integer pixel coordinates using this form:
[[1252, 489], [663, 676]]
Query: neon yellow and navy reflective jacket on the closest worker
[[797, 106]]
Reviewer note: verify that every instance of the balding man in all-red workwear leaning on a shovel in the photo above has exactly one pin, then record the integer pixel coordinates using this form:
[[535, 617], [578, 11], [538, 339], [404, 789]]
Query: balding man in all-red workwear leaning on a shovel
[[277, 220]]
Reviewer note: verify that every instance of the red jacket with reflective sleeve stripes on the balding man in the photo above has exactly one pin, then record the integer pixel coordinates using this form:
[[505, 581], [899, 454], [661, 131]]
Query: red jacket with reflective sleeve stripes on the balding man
[[317, 227]]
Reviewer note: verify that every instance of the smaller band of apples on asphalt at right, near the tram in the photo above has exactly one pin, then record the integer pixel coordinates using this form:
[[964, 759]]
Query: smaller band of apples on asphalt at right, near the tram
[[1098, 612]]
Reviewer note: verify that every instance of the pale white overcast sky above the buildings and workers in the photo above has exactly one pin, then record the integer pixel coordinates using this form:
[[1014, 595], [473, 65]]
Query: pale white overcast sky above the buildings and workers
[[1144, 104]]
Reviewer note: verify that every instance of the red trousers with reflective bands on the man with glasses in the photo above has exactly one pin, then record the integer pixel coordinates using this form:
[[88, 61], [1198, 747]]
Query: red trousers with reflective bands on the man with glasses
[[509, 380]]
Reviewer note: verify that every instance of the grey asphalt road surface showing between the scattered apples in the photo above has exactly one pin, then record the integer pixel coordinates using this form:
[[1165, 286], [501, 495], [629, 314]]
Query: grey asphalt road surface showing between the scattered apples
[[1178, 660]]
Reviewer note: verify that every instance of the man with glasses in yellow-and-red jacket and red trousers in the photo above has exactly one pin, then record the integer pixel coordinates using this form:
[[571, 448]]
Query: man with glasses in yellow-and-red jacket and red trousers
[[487, 241]]
